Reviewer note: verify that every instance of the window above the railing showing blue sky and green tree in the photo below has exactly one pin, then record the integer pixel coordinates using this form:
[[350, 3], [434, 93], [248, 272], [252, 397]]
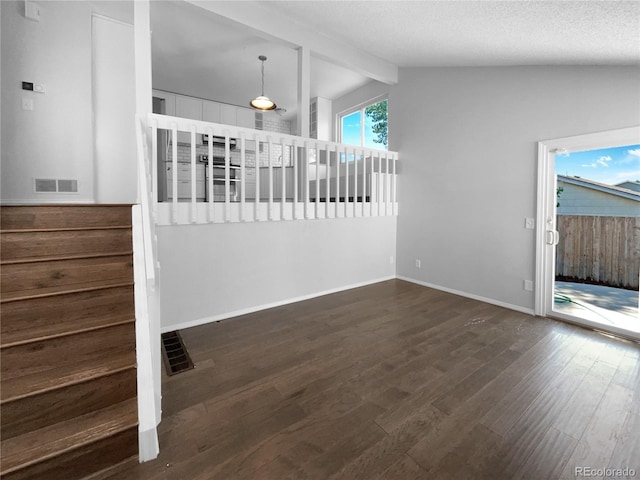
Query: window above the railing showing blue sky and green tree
[[366, 127]]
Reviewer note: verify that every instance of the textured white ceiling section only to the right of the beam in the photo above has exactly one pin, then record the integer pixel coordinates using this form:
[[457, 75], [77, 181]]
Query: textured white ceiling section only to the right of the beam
[[480, 32]]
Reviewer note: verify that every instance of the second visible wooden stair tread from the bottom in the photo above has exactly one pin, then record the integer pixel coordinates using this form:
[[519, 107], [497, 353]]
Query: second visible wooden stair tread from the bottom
[[47, 380]]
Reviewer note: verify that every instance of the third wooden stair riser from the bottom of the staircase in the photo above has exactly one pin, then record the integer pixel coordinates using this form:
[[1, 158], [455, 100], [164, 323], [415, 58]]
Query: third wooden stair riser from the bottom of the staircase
[[51, 354]]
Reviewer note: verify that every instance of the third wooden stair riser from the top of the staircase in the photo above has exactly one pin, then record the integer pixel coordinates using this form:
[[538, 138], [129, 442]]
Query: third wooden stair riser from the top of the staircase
[[66, 273]]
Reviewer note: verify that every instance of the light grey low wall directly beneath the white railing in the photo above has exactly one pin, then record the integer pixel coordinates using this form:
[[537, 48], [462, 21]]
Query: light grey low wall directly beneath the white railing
[[215, 271]]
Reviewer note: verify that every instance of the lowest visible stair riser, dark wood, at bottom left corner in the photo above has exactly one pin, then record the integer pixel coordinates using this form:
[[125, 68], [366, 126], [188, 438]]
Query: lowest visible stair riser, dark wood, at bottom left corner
[[83, 461]]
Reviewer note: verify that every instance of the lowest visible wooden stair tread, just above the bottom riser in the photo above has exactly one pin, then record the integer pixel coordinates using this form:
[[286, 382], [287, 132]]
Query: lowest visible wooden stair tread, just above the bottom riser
[[49, 442]]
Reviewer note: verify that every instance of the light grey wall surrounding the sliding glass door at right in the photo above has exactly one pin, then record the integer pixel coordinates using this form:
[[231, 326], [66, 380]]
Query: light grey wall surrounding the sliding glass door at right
[[467, 145]]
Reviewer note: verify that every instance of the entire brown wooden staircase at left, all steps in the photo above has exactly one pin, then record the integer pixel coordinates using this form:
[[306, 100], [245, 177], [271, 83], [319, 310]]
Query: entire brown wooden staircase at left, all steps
[[68, 387]]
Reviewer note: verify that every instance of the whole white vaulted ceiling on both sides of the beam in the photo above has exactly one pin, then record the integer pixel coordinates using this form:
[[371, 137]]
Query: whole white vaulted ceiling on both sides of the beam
[[199, 53]]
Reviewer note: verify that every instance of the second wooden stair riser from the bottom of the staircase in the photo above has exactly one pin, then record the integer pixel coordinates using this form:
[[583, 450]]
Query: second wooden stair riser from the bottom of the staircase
[[39, 411]]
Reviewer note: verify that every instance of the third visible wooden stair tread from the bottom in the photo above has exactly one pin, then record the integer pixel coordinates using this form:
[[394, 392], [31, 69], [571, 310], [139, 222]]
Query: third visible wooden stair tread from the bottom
[[50, 331]]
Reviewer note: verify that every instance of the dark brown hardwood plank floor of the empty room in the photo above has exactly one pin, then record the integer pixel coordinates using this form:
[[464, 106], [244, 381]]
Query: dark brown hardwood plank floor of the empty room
[[397, 381]]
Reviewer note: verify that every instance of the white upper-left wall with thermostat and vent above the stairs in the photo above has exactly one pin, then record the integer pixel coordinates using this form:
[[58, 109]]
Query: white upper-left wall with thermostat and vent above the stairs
[[55, 140]]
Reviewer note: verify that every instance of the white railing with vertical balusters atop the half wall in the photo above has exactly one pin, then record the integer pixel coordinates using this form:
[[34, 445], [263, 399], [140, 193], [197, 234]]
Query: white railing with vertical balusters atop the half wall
[[254, 175]]
